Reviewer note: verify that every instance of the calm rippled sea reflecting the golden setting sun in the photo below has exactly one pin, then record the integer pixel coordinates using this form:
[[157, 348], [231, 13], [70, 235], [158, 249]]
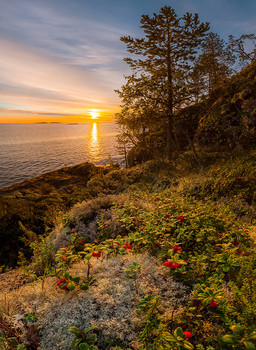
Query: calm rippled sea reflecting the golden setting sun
[[28, 150]]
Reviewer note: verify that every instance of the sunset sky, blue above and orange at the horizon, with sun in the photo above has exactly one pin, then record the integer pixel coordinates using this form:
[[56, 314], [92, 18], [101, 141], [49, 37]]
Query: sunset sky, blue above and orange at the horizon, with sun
[[61, 60]]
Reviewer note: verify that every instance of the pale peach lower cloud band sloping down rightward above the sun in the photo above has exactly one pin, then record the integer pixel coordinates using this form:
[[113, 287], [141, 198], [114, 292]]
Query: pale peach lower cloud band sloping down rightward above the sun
[[30, 77]]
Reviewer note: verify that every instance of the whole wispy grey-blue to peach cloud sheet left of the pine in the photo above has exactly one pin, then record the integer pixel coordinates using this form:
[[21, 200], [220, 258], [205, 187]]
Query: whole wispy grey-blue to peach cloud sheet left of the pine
[[57, 62]]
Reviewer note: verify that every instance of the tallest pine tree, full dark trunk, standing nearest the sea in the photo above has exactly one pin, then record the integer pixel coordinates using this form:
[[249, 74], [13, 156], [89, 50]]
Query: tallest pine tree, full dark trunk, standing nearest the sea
[[166, 52]]
